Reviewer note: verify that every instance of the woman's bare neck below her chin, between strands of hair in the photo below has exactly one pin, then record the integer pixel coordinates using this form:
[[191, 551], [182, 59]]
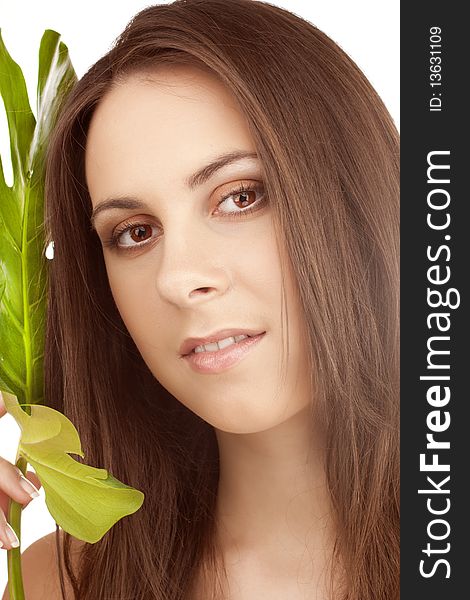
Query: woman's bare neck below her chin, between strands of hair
[[273, 505]]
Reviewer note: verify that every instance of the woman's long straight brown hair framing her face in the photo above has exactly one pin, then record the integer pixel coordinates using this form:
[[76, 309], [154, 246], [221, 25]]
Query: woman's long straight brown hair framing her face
[[329, 150]]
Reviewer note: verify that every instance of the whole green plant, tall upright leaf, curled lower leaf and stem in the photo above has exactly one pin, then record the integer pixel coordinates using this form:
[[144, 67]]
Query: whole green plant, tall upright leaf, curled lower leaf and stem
[[85, 501]]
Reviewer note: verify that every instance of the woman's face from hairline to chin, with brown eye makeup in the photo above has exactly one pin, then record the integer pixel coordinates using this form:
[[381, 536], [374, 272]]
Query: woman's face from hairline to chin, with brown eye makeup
[[190, 259]]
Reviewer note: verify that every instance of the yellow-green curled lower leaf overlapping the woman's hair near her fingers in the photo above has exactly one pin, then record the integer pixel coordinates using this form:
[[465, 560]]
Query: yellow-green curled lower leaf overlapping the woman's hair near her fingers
[[85, 501]]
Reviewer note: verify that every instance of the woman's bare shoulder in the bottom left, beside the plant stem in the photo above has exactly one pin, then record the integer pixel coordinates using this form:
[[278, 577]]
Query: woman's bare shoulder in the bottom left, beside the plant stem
[[40, 570]]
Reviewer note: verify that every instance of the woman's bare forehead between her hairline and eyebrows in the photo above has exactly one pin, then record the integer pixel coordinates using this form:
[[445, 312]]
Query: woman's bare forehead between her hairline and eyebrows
[[143, 129]]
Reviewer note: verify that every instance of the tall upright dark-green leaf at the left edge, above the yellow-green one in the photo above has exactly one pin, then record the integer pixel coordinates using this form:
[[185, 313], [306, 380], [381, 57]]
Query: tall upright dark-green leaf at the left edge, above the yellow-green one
[[22, 235]]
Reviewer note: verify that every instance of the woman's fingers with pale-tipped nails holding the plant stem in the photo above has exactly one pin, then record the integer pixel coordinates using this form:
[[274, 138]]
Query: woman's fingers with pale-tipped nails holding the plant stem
[[13, 485]]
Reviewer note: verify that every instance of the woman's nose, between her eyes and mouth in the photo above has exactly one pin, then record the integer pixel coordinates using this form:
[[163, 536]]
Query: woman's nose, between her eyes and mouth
[[192, 268]]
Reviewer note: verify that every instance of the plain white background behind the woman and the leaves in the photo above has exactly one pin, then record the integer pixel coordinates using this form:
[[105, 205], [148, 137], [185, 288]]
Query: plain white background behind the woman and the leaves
[[366, 29]]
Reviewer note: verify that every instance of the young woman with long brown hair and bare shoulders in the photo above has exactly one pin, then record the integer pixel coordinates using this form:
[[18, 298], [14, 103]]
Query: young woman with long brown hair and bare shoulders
[[223, 329]]
